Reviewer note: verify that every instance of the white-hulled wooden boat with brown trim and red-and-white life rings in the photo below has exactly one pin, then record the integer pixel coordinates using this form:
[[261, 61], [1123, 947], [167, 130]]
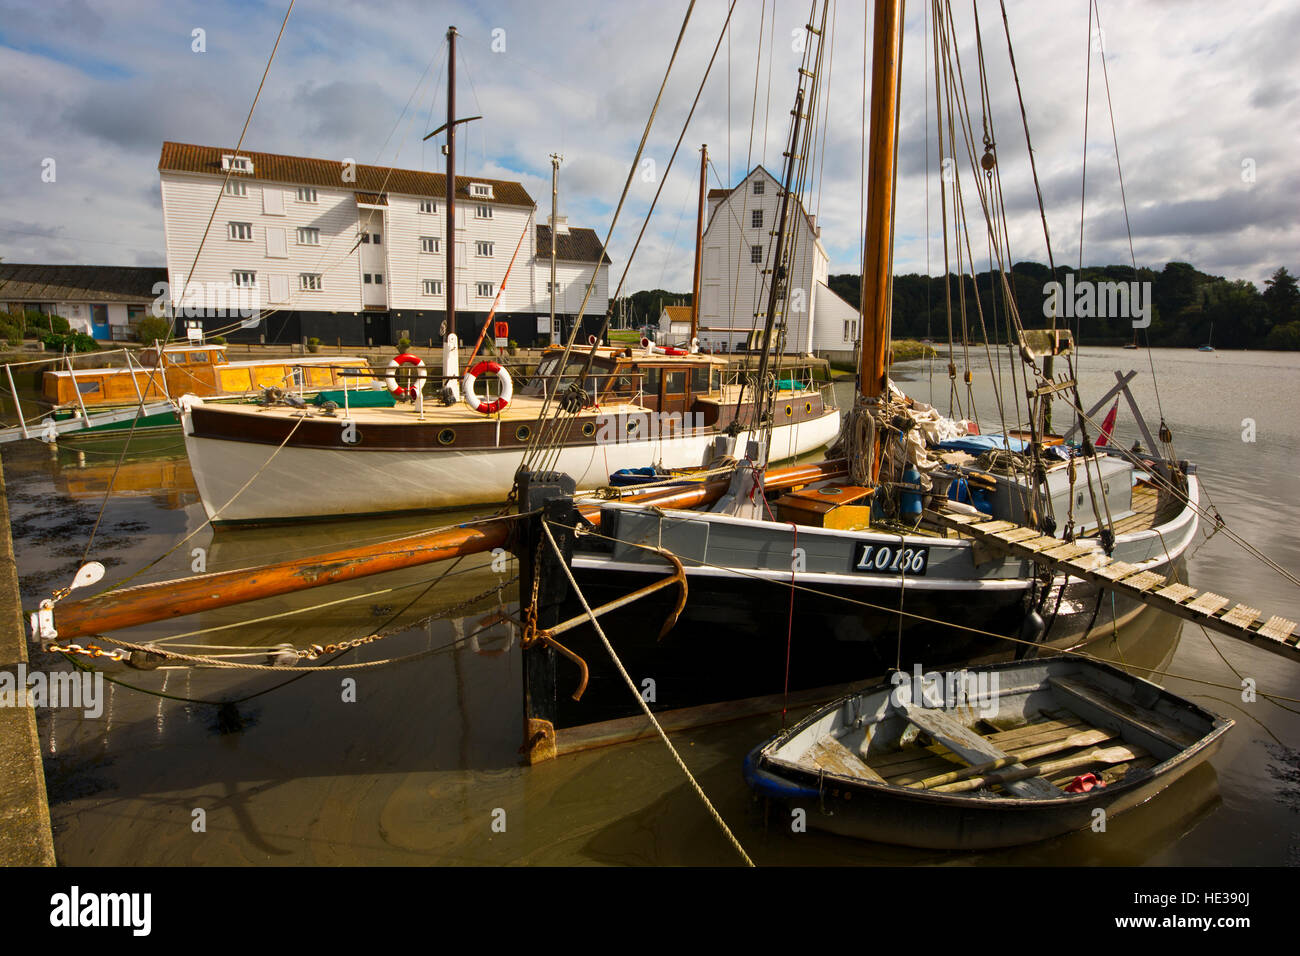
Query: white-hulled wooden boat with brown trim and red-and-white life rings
[[642, 408]]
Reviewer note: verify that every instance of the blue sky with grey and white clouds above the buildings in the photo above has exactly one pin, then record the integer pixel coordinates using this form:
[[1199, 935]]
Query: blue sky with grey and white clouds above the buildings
[[1204, 100]]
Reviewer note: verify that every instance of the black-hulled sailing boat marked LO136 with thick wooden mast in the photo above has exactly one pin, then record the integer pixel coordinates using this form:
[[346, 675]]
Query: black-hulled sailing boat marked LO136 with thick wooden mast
[[873, 564]]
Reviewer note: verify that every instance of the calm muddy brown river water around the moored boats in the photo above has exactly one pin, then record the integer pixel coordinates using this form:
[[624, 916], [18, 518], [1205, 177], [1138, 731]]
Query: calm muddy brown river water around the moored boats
[[423, 768]]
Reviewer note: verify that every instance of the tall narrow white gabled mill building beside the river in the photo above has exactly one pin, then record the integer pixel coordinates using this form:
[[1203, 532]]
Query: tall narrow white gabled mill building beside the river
[[734, 288]]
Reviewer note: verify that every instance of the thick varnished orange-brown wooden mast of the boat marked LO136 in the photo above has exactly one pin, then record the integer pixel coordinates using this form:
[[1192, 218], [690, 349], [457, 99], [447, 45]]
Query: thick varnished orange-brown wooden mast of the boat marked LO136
[[878, 258]]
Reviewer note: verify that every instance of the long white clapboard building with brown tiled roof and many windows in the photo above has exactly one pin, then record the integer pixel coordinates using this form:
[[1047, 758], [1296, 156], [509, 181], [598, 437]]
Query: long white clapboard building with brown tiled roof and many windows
[[357, 254]]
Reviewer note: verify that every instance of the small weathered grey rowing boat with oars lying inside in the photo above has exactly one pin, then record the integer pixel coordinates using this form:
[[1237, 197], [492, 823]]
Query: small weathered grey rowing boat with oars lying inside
[[987, 758]]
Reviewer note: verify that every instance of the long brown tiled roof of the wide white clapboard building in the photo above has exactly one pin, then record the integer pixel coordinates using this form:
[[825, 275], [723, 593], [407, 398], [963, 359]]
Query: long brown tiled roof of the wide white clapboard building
[[183, 158]]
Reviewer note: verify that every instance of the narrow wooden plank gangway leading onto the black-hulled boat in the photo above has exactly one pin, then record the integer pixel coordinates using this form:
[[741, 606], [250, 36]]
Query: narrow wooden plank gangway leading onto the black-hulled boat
[[1085, 560]]
